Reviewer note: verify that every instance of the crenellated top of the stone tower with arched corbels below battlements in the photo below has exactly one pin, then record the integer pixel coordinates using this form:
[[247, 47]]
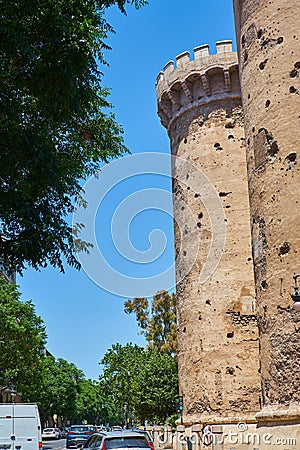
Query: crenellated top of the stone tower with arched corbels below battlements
[[199, 81]]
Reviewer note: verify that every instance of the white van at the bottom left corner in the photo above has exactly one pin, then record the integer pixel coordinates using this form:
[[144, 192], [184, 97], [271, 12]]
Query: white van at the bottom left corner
[[20, 427]]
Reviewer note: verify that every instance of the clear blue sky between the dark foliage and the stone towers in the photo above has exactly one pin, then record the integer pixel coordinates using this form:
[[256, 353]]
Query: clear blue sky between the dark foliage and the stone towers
[[83, 320]]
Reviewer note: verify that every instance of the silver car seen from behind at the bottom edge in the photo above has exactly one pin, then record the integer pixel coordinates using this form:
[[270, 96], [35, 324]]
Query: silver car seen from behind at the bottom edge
[[117, 440]]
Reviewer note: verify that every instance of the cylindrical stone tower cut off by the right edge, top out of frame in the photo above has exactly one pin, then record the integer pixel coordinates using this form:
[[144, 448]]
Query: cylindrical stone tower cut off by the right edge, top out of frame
[[269, 52]]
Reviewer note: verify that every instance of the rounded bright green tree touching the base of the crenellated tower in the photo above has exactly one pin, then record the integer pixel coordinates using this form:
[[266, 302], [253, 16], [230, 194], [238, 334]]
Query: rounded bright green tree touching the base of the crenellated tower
[[142, 380]]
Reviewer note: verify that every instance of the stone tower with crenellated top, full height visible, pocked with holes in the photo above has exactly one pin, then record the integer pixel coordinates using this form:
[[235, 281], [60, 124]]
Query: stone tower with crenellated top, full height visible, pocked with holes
[[199, 102]]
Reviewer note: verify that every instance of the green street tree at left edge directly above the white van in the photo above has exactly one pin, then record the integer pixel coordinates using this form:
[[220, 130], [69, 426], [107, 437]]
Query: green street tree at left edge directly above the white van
[[22, 340]]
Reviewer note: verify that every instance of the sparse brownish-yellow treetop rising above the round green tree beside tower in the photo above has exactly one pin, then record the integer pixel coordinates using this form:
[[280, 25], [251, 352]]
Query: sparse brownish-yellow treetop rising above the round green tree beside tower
[[159, 326]]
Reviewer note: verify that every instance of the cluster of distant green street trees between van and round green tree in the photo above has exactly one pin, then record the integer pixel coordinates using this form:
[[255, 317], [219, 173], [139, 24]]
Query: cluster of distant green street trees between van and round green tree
[[62, 390]]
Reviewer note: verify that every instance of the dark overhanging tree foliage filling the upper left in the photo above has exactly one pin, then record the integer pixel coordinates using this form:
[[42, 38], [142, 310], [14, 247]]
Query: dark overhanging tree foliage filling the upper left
[[55, 126]]
